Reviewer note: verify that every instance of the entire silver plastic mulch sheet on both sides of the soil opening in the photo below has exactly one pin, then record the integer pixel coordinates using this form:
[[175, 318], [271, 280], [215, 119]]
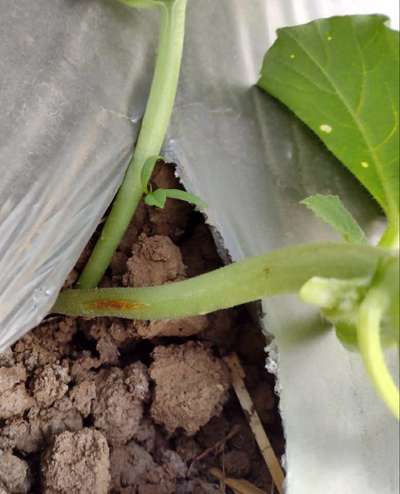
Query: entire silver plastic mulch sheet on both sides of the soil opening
[[74, 81]]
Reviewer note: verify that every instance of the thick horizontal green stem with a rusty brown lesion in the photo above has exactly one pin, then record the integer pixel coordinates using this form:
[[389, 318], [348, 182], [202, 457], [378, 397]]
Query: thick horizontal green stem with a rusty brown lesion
[[282, 271]]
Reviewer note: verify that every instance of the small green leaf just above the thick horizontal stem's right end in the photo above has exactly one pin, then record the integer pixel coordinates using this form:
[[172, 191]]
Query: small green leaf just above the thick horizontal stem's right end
[[331, 210]]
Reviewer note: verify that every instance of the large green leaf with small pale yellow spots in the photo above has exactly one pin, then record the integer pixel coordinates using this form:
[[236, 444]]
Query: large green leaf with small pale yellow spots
[[341, 77]]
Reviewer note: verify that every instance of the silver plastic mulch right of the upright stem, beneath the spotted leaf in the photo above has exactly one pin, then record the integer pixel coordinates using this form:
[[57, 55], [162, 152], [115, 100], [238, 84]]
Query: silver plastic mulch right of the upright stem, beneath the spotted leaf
[[247, 157]]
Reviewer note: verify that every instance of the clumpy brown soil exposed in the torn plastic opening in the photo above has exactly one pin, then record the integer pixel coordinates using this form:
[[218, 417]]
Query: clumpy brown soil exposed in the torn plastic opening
[[110, 405]]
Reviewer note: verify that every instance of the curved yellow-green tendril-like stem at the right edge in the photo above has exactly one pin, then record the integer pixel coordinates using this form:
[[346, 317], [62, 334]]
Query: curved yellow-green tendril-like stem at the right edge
[[370, 344]]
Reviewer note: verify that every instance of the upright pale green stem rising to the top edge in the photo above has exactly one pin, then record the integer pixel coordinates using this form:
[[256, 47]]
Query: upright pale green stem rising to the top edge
[[152, 134]]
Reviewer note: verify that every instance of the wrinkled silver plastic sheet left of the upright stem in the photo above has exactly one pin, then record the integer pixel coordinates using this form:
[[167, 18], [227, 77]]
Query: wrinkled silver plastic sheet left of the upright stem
[[74, 80]]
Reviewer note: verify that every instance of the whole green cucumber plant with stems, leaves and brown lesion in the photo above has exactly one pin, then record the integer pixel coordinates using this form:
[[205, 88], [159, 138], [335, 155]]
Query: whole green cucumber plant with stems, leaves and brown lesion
[[341, 77]]
